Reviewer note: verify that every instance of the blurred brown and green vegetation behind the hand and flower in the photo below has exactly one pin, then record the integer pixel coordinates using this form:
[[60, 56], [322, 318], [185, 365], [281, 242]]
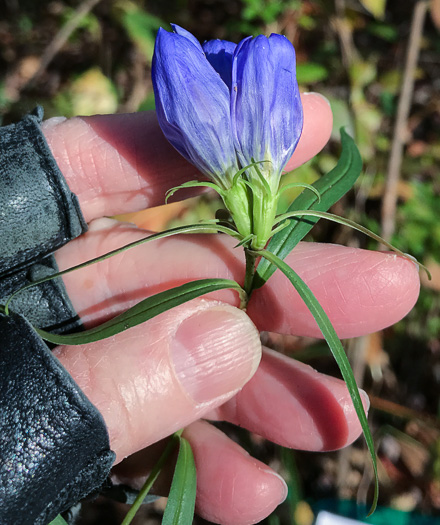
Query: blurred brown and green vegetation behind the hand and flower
[[94, 57]]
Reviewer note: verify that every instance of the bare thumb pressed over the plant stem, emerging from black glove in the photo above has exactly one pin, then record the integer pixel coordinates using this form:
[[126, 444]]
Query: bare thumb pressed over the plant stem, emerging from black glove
[[162, 375]]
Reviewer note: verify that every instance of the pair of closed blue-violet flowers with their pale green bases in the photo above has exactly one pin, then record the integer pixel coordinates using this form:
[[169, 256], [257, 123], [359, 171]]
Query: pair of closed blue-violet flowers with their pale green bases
[[226, 107]]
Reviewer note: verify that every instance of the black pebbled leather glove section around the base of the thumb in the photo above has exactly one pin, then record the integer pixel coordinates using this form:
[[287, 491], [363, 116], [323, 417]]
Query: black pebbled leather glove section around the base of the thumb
[[52, 436]]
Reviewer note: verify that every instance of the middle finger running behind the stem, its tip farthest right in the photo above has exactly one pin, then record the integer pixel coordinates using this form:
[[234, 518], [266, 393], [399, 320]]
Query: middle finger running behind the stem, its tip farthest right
[[361, 291]]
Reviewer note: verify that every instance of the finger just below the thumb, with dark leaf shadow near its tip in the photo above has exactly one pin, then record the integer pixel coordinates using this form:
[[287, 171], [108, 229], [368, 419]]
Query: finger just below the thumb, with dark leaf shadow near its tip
[[295, 406]]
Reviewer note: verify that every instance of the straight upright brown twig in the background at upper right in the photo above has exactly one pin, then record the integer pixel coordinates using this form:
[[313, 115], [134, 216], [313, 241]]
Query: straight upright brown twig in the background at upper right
[[389, 202]]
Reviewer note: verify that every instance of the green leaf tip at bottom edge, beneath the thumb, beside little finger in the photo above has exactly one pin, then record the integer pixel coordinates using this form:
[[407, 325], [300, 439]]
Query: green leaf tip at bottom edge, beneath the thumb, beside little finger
[[182, 496]]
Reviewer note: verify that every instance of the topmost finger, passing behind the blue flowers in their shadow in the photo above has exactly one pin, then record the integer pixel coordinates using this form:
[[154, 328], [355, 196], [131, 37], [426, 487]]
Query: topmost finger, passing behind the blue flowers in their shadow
[[123, 163]]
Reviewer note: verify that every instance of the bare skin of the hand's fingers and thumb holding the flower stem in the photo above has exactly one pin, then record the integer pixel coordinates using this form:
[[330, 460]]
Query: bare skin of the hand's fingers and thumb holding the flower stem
[[139, 380]]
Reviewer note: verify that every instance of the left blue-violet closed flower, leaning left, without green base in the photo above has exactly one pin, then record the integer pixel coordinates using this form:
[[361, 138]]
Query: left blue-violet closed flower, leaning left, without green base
[[193, 106]]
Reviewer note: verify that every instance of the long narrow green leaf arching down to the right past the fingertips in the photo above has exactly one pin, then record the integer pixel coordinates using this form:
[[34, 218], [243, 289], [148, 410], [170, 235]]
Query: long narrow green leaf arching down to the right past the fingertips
[[337, 350]]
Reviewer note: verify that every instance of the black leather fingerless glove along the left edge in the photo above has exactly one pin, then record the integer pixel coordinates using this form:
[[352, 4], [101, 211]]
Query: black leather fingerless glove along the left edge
[[54, 447]]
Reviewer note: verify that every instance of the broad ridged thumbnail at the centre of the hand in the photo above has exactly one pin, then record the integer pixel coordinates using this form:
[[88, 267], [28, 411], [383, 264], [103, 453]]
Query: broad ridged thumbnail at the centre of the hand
[[215, 352]]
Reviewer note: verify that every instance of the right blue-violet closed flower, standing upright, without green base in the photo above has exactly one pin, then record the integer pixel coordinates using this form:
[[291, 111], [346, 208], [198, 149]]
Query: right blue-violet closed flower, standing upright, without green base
[[266, 108]]
